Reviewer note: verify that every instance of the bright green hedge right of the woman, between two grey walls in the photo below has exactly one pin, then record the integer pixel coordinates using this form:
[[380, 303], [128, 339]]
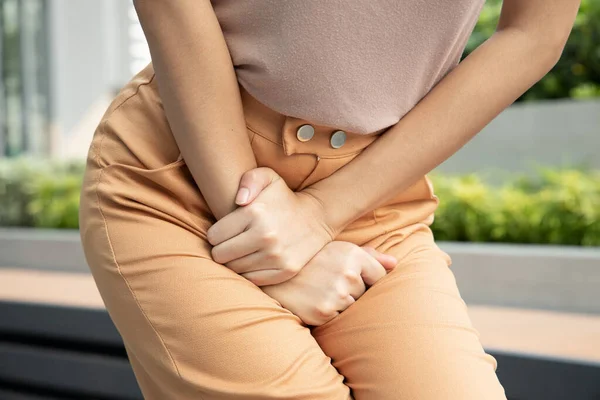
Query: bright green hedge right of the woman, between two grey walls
[[553, 207]]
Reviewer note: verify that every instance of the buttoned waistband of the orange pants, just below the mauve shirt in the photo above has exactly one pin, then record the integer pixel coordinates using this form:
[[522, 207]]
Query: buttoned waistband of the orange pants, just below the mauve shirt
[[283, 130]]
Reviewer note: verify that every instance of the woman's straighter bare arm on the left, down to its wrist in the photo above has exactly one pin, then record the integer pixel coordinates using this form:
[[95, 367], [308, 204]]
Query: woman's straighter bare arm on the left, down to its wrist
[[200, 95]]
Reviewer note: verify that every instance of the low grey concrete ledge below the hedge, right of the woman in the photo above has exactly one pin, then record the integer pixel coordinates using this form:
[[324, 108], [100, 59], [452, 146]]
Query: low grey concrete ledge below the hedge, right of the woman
[[559, 278]]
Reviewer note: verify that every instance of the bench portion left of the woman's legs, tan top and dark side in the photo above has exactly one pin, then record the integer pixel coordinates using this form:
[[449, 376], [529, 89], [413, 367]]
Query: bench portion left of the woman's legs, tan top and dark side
[[57, 341]]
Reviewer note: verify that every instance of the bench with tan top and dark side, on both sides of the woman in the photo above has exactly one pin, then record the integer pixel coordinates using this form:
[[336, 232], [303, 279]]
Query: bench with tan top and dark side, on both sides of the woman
[[57, 342]]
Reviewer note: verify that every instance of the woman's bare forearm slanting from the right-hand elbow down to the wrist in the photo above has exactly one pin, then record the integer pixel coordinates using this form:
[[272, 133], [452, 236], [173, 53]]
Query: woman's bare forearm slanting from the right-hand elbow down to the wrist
[[462, 103]]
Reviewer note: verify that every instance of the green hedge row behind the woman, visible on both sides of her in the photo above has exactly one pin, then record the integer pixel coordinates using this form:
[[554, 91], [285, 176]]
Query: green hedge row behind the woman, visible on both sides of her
[[552, 206]]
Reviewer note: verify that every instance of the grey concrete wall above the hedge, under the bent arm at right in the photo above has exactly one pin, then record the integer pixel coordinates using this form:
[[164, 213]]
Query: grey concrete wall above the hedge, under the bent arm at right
[[549, 133]]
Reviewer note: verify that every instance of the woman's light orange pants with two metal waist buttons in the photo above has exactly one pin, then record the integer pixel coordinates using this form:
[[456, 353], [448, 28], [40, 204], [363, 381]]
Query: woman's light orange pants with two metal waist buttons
[[193, 329]]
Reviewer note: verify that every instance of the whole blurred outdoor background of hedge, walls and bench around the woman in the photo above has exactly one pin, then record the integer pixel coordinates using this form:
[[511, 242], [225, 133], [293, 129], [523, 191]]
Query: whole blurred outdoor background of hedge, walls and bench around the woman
[[519, 211]]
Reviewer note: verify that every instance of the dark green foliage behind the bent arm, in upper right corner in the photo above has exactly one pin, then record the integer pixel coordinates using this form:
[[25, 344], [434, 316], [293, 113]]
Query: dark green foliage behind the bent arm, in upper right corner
[[577, 73]]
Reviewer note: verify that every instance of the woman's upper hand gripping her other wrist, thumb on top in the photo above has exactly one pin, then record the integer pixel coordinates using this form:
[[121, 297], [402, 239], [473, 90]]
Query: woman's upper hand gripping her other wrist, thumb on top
[[274, 233]]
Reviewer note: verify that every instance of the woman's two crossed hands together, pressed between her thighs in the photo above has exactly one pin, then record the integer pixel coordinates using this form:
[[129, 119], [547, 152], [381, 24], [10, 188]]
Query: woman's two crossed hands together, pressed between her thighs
[[278, 240]]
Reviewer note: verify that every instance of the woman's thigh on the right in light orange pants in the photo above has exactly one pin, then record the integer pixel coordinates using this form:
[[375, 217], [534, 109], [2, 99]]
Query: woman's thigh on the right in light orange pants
[[409, 336]]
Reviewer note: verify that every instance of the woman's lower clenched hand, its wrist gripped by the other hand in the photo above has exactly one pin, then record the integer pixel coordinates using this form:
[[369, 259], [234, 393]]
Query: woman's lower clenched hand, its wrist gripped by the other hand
[[336, 277]]
